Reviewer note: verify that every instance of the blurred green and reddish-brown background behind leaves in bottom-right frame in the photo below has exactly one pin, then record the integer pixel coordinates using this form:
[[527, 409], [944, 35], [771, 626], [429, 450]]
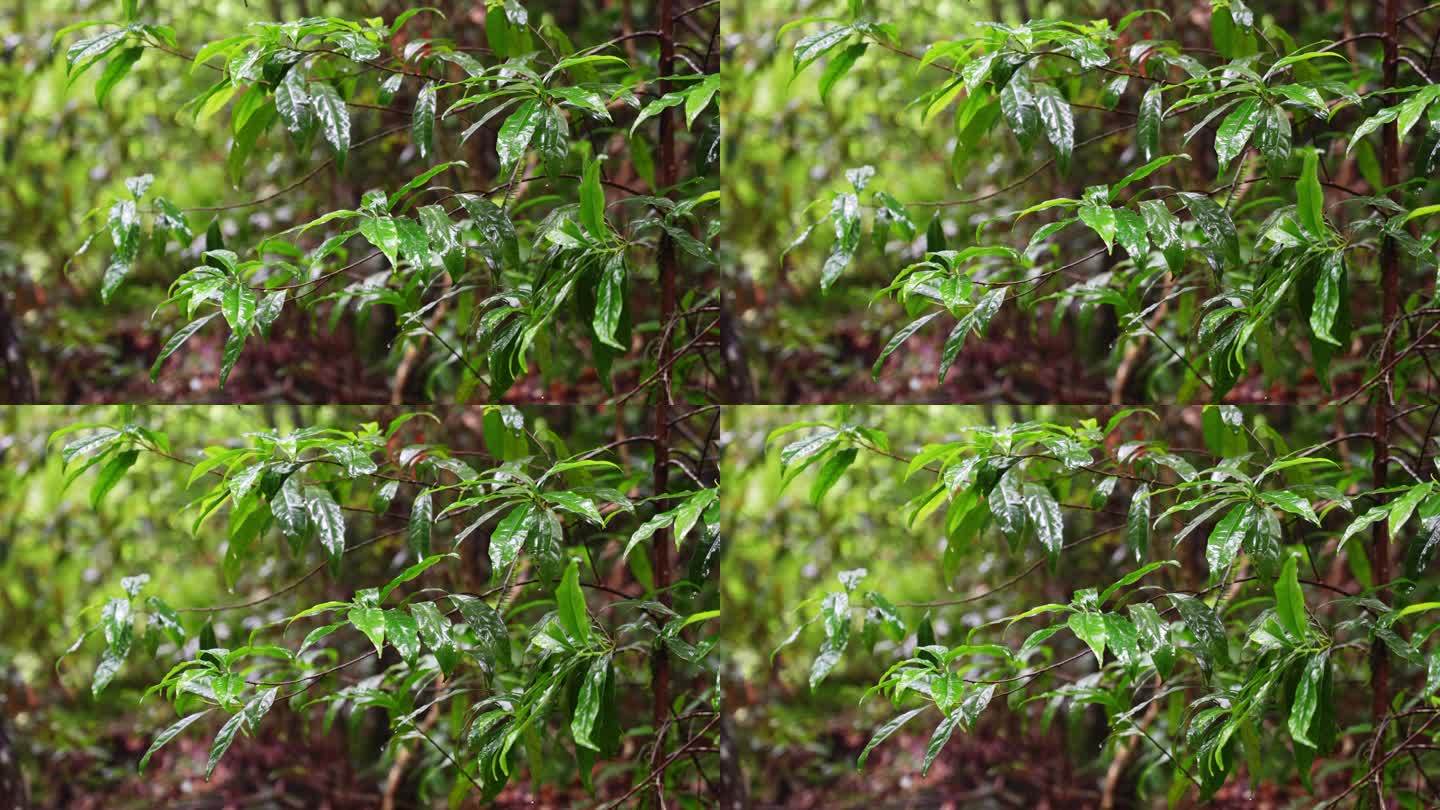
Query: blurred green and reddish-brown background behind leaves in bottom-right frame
[[798, 746]]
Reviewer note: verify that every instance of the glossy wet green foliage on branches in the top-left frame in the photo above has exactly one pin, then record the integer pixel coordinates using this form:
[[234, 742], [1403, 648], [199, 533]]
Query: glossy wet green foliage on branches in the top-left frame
[[518, 213]]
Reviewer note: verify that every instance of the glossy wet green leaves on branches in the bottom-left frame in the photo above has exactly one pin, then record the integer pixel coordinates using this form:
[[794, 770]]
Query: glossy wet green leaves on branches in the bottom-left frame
[[505, 633]]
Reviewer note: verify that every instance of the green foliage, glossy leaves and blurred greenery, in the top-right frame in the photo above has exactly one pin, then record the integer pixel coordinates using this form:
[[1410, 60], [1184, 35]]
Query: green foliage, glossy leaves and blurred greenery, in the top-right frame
[[1243, 252]]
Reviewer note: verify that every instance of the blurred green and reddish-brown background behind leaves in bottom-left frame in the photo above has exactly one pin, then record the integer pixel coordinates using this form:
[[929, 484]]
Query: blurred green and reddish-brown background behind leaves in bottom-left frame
[[61, 558]]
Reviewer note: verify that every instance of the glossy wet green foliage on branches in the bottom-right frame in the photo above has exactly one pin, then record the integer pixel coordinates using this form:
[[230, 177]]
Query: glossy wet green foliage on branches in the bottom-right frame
[[1222, 655]]
